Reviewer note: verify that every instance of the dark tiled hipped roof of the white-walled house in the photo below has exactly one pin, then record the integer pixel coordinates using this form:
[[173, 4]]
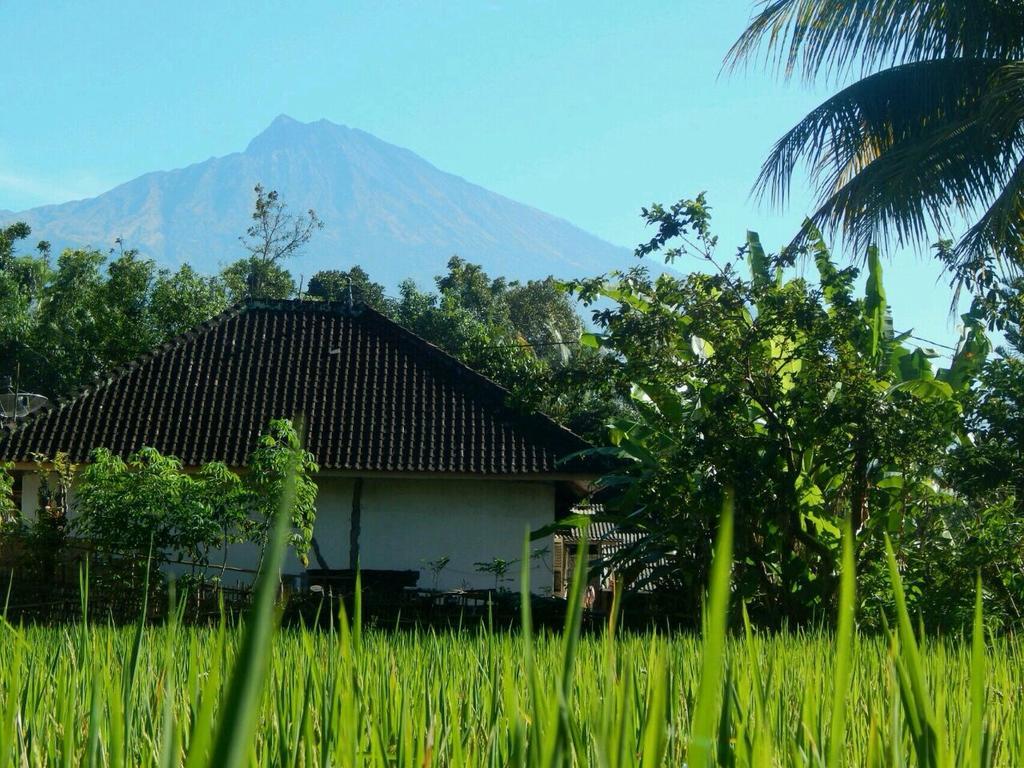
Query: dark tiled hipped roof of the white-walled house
[[375, 398]]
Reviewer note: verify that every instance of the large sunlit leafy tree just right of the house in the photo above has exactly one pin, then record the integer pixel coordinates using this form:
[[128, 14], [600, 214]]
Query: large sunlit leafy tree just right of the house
[[801, 398]]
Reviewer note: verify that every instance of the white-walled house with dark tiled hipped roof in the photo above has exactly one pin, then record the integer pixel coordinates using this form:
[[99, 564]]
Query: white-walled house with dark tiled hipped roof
[[430, 453]]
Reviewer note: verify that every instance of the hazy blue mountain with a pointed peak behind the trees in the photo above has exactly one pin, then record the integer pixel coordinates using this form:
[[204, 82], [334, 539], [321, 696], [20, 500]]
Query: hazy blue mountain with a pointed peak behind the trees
[[385, 208]]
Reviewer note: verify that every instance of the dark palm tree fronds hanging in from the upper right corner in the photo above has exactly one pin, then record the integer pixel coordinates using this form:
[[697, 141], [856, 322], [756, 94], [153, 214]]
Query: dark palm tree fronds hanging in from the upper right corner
[[930, 137]]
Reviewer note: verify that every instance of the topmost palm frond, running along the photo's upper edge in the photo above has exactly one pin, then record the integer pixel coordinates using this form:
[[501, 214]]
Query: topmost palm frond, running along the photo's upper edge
[[826, 37]]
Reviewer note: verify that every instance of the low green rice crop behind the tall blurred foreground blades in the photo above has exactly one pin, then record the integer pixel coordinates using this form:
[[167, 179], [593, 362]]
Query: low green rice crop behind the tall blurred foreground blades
[[423, 699]]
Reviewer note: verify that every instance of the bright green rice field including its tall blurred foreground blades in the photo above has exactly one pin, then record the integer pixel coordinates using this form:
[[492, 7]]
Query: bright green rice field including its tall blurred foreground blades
[[251, 695]]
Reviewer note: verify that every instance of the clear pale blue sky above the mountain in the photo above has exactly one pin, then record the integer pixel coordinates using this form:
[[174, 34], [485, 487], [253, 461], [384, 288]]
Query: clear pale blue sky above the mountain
[[586, 110]]
